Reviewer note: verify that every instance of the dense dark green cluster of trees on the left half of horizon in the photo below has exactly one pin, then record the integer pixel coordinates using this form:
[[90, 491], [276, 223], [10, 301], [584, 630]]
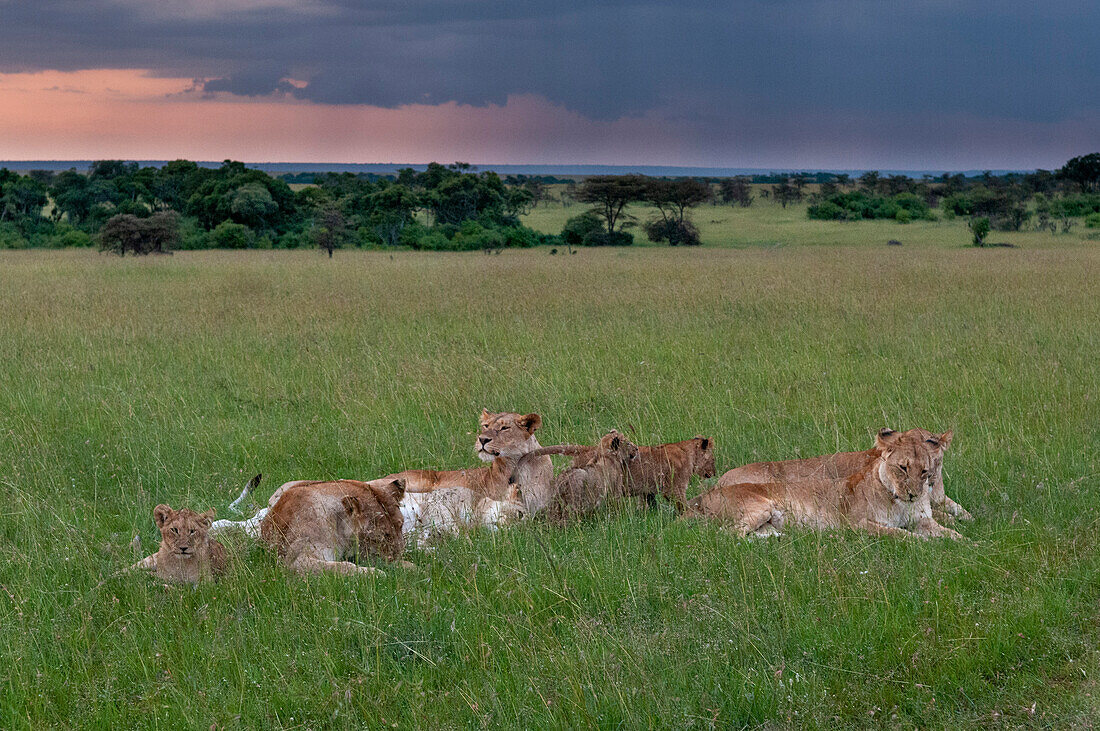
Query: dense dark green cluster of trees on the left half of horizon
[[126, 208]]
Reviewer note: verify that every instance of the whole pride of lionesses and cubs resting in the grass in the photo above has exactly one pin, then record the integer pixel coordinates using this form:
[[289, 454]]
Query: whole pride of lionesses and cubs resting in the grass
[[894, 489]]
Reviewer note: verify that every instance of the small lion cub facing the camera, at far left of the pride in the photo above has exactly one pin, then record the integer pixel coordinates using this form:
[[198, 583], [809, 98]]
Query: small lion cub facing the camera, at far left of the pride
[[188, 552]]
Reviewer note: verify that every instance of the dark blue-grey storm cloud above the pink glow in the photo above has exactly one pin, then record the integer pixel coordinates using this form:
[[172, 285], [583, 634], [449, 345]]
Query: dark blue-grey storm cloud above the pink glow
[[702, 61]]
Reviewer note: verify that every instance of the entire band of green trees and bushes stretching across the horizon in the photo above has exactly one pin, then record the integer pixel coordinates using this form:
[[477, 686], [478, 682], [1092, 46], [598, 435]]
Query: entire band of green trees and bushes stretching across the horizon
[[125, 208]]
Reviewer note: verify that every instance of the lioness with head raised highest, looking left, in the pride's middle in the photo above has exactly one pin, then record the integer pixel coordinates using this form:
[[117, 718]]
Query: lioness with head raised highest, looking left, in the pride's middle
[[502, 440]]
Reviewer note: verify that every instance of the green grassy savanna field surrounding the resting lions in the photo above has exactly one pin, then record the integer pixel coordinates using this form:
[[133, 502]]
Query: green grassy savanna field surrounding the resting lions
[[130, 383]]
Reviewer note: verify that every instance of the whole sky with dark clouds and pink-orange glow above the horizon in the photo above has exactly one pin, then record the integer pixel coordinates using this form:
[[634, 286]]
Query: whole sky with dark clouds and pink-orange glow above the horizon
[[779, 84]]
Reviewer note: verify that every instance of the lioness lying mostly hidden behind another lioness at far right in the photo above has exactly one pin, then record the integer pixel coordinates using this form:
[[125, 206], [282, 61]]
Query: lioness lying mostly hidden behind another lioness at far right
[[845, 464]]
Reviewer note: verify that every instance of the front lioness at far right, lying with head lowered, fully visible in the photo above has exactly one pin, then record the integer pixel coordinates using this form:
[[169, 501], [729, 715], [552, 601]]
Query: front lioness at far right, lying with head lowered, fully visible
[[887, 494]]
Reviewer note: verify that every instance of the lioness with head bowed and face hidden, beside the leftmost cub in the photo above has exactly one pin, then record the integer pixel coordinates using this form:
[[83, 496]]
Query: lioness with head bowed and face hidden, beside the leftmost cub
[[325, 526]]
